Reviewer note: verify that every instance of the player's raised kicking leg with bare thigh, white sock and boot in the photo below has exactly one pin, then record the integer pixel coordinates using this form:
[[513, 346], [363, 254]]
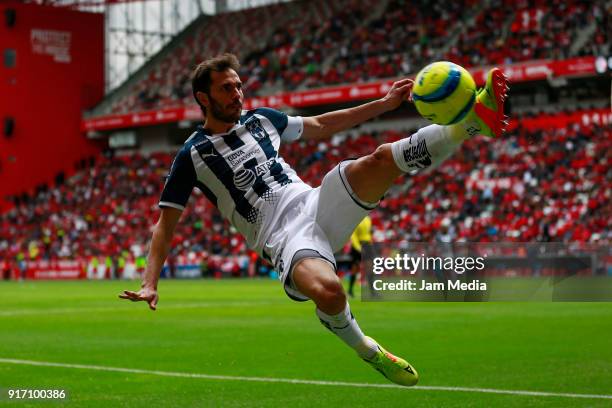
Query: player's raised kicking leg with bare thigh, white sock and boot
[[370, 176]]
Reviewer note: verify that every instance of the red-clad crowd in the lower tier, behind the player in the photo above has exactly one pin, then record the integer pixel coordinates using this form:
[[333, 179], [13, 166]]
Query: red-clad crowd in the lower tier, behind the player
[[542, 185]]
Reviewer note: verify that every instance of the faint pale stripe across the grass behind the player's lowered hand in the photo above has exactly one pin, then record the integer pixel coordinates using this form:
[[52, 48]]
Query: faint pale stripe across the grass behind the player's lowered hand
[[70, 310]]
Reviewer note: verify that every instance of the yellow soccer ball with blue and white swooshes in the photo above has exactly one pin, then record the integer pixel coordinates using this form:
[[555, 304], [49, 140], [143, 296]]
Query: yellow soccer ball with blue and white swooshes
[[444, 92]]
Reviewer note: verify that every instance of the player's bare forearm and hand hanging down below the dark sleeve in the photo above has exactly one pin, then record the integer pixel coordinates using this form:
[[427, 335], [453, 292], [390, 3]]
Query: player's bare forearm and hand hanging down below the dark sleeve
[[160, 246]]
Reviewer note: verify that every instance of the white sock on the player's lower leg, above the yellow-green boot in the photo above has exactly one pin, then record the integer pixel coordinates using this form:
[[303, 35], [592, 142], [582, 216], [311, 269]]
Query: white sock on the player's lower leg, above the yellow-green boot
[[345, 326]]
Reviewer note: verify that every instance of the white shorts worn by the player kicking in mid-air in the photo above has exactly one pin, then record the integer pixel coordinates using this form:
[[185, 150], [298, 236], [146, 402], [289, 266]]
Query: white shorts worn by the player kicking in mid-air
[[315, 224]]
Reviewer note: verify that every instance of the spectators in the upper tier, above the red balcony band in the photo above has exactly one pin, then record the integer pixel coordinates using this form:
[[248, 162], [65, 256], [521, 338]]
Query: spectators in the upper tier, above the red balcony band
[[319, 43]]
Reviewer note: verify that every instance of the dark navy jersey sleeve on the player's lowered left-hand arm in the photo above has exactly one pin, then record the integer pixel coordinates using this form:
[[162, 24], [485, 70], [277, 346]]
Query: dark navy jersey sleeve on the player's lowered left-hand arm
[[180, 181]]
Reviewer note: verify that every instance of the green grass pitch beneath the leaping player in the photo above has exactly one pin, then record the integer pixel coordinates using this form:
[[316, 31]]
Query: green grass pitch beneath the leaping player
[[250, 328]]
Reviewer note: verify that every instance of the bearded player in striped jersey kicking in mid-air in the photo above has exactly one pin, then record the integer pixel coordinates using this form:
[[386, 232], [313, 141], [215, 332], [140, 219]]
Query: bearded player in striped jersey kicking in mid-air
[[233, 159]]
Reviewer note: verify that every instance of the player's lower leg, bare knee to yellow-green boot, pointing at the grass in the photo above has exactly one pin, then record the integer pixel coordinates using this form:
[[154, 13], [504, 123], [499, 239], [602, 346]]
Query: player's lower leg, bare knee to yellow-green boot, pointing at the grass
[[315, 278]]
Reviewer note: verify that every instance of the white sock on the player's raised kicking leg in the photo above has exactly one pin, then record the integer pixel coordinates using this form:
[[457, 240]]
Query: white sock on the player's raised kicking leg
[[428, 147]]
